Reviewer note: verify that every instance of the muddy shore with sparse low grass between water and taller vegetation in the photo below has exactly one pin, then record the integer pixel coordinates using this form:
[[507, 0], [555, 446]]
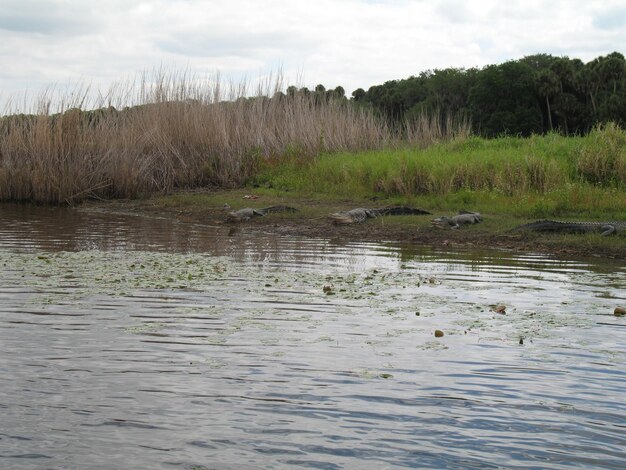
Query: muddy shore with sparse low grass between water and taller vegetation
[[312, 221]]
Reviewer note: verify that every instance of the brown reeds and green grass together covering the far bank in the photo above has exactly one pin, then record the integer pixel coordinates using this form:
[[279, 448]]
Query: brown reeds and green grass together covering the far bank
[[174, 135]]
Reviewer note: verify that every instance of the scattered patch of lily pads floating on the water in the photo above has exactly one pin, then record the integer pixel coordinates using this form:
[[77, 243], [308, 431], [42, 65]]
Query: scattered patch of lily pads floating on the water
[[388, 295]]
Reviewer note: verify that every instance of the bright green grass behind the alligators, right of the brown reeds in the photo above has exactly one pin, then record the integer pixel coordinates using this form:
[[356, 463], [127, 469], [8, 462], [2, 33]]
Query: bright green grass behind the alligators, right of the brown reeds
[[537, 177]]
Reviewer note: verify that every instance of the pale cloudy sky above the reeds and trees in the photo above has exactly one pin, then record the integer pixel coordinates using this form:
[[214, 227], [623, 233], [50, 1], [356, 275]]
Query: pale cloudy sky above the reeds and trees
[[352, 43]]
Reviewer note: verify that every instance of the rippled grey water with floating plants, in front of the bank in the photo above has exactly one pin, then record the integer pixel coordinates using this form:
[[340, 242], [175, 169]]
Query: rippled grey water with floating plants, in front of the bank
[[133, 342]]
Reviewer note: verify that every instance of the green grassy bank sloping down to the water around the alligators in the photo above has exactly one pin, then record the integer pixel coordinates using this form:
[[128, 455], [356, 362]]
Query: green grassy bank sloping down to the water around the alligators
[[511, 181]]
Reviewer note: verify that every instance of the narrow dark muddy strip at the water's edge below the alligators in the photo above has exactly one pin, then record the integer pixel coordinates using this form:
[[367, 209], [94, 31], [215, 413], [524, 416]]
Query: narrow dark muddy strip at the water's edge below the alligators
[[408, 229]]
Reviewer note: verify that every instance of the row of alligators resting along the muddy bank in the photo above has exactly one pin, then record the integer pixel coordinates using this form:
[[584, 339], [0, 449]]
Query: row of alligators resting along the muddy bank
[[360, 214]]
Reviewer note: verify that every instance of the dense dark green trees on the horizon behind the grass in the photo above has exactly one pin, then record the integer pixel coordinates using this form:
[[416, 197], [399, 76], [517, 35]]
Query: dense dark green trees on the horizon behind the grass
[[533, 95]]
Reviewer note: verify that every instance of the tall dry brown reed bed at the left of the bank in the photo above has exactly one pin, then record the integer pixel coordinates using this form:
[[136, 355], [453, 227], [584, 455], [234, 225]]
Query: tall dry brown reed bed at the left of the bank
[[169, 131]]
